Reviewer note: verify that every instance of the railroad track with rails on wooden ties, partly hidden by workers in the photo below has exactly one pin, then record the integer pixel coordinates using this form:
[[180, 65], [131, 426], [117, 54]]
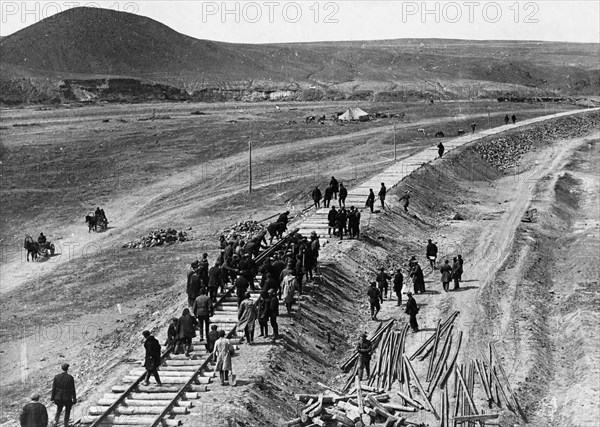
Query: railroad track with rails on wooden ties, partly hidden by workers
[[183, 378]]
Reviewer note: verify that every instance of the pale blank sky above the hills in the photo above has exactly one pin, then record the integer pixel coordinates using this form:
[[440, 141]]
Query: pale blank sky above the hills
[[302, 21]]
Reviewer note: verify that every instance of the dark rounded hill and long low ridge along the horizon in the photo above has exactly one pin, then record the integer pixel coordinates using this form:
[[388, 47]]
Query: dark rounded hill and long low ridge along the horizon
[[67, 50]]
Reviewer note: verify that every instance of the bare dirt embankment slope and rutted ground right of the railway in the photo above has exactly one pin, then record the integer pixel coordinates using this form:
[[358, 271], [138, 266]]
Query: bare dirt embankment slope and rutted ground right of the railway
[[500, 301]]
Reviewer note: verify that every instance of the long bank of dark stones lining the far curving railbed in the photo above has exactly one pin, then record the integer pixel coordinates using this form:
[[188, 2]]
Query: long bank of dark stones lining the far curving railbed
[[505, 152]]
